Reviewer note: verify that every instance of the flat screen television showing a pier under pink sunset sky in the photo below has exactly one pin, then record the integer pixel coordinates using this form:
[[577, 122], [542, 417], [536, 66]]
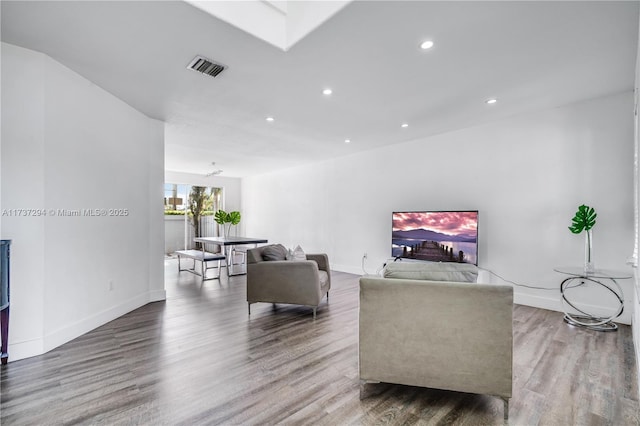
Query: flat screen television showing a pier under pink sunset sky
[[437, 236]]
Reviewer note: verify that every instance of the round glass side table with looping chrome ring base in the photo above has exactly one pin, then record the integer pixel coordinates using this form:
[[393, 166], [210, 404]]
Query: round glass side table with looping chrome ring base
[[605, 278]]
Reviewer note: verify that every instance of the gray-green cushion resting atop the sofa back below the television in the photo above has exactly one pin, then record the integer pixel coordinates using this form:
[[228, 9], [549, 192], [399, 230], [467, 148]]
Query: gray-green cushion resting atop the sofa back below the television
[[432, 271]]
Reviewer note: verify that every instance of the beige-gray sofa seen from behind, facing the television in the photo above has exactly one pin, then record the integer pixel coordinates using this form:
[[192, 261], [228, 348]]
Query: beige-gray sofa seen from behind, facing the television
[[438, 334]]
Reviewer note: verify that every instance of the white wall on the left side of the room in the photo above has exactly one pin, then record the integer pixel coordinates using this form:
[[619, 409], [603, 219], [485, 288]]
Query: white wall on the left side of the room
[[67, 144]]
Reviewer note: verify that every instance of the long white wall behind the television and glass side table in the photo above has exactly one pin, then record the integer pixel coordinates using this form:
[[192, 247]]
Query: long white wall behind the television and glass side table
[[526, 175]]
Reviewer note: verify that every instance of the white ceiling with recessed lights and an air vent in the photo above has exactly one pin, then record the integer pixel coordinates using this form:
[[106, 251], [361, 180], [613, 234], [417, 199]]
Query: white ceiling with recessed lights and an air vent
[[529, 55]]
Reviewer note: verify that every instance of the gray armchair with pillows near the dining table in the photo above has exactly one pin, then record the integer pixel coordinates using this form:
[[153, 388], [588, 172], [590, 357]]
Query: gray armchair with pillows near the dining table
[[299, 282]]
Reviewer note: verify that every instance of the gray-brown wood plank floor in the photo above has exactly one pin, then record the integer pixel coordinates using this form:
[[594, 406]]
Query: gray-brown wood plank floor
[[198, 359]]
